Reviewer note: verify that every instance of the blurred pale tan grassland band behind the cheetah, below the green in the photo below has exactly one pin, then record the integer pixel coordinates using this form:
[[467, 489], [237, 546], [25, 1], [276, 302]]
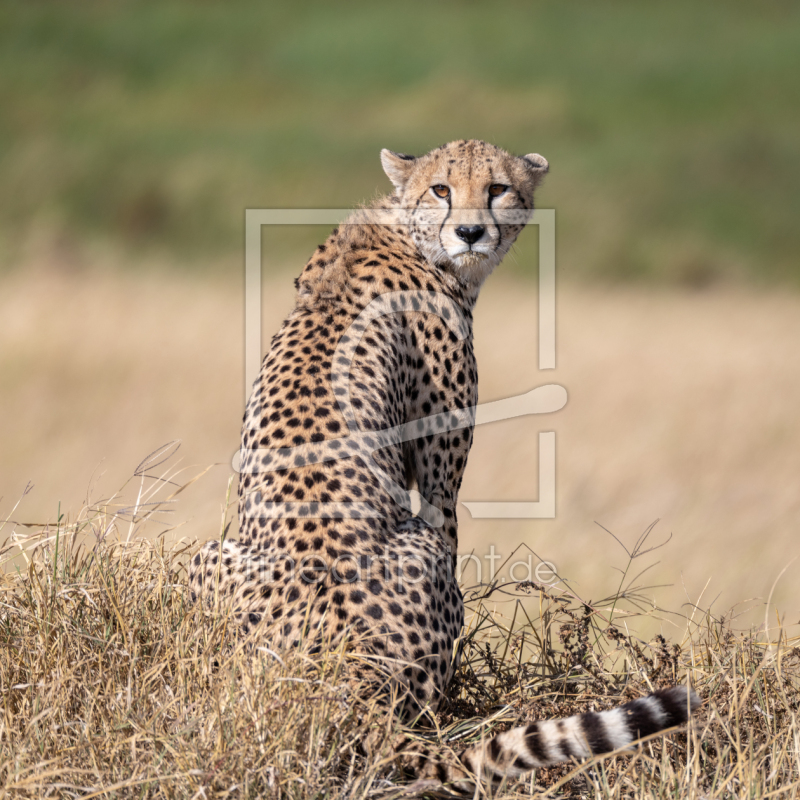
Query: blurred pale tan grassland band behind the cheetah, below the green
[[683, 408]]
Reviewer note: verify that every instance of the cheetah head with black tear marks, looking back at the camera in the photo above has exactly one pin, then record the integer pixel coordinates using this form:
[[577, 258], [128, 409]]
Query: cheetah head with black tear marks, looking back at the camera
[[465, 203]]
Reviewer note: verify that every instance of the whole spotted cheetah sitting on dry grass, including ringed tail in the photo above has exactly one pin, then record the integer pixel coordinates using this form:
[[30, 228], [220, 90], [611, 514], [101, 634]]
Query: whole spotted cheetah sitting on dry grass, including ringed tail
[[366, 401]]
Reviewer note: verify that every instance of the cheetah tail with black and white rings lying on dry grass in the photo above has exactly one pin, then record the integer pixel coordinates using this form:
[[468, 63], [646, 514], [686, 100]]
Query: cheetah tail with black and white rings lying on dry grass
[[548, 742]]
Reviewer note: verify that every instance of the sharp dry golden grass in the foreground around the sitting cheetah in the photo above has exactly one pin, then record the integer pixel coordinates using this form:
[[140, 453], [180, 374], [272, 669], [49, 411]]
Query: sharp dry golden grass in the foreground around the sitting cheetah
[[113, 685]]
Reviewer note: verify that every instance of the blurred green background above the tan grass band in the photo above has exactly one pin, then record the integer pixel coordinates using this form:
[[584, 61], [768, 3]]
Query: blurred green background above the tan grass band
[[672, 129]]
